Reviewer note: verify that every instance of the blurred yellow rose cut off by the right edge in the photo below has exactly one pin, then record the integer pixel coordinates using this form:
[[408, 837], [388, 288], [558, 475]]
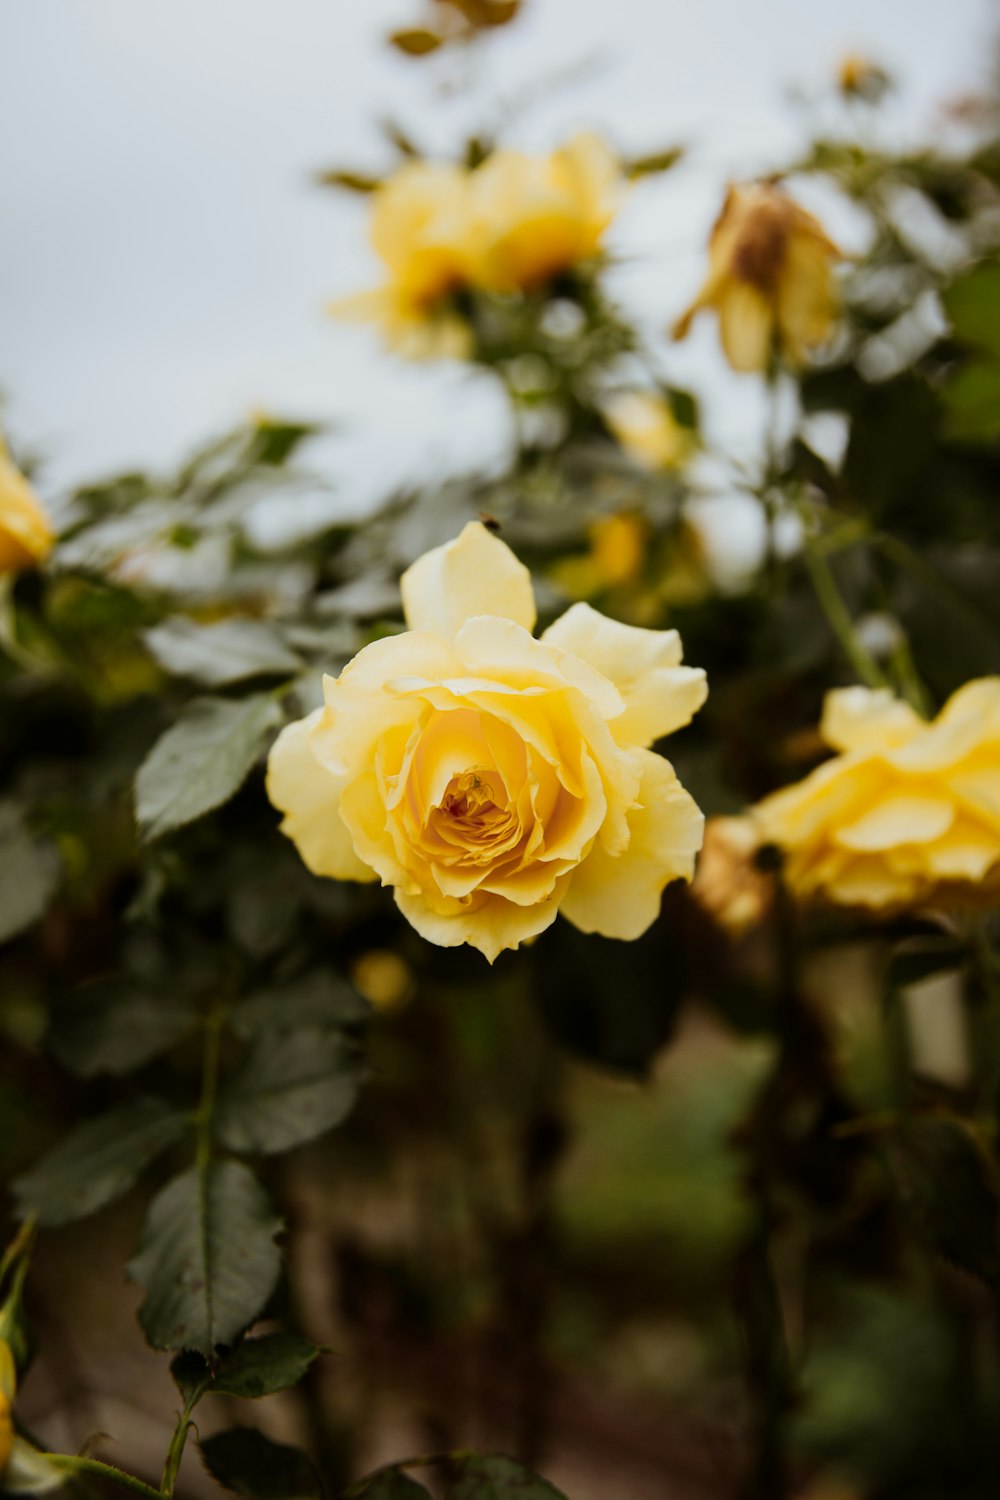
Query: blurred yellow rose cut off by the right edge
[[908, 812]]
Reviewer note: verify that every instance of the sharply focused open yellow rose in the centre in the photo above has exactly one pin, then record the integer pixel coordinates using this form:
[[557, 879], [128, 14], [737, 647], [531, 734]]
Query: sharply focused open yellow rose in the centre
[[494, 779]]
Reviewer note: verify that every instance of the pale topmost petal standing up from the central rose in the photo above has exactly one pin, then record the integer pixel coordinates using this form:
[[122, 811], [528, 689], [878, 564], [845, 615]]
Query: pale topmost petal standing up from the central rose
[[475, 575]]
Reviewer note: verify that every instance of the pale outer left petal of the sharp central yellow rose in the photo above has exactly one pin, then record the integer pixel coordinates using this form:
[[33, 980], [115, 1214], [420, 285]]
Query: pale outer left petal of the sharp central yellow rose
[[310, 796]]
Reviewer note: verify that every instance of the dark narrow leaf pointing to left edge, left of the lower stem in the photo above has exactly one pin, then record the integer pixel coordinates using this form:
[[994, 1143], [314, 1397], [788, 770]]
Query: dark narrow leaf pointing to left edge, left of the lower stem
[[98, 1162]]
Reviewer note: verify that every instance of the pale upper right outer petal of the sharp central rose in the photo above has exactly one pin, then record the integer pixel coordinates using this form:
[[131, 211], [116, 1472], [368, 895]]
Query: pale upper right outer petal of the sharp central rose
[[645, 667]]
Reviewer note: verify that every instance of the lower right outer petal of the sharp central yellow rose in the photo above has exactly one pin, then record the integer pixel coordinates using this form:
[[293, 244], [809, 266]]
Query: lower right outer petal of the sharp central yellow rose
[[620, 896]]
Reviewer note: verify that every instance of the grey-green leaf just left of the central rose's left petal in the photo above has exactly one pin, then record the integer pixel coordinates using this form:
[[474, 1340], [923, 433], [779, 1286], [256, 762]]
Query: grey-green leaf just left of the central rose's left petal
[[202, 761]]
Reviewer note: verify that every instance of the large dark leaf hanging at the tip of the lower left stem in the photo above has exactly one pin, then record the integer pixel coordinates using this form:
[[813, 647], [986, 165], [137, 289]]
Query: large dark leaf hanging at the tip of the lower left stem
[[208, 1258]]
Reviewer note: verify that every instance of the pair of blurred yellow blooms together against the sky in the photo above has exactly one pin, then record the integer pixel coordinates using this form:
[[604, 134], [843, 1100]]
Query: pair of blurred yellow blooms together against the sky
[[507, 226]]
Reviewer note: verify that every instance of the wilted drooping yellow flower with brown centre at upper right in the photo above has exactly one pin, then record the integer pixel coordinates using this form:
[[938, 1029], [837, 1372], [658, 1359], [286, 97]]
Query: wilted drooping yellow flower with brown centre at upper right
[[771, 280]]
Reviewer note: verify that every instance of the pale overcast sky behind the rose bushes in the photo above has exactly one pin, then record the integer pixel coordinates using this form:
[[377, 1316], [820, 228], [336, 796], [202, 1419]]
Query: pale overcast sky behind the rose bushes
[[166, 256]]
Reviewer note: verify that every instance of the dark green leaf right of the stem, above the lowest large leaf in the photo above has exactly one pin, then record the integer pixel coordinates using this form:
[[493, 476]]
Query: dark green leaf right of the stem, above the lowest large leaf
[[292, 1088]]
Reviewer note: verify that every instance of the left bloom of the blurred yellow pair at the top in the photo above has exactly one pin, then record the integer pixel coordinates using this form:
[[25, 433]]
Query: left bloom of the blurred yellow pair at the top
[[421, 232]]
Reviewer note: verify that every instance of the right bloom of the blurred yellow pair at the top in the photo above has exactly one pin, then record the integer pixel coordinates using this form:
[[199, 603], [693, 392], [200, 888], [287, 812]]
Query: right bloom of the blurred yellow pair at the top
[[534, 217]]
